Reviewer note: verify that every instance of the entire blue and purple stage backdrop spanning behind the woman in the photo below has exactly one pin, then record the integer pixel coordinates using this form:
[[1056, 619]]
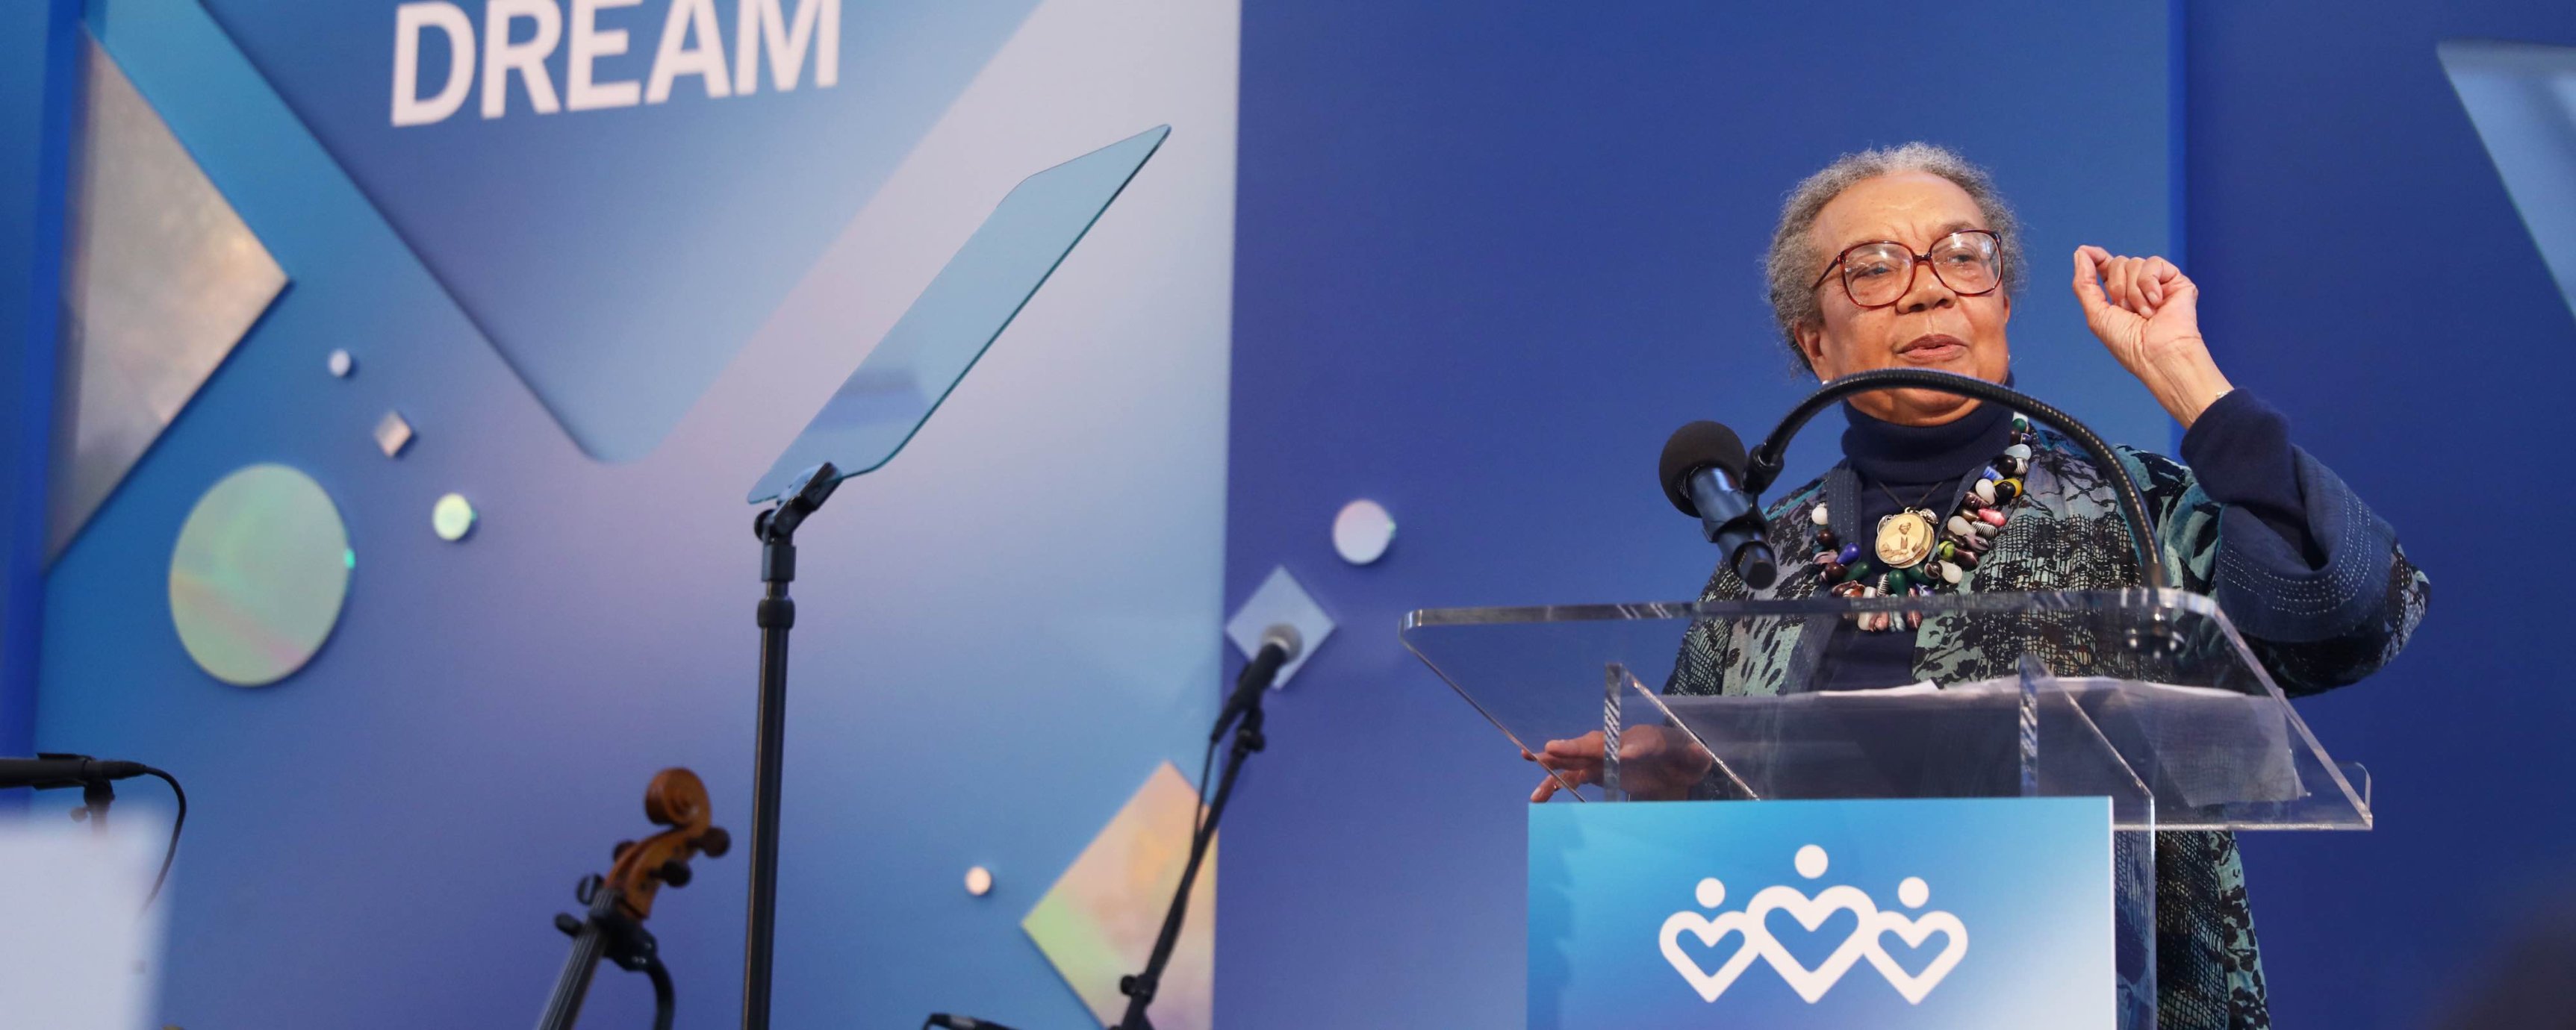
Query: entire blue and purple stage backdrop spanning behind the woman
[[1480, 269]]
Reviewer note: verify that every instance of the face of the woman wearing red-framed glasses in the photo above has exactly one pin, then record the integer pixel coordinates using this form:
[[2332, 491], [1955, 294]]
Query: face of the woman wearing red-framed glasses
[[1931, 326]]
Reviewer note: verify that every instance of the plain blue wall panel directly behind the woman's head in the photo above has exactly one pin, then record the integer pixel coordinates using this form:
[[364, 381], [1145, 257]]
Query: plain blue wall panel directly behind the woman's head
[[1482, 267]]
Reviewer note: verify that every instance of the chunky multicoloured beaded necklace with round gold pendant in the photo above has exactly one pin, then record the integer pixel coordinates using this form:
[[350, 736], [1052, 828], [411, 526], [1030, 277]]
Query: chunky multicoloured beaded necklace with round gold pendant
[[1915, 550]]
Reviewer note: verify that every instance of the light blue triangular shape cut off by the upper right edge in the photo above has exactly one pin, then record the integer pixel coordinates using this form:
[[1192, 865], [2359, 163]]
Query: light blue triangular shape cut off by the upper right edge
[[2523, 102]]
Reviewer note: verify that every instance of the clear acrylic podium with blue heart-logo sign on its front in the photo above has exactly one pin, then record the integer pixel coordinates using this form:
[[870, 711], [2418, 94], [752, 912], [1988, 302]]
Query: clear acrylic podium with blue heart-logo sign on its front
[[2145, 709]]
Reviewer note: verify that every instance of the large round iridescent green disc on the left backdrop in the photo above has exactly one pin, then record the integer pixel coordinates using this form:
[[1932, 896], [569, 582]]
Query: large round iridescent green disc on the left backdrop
[[259, 576]]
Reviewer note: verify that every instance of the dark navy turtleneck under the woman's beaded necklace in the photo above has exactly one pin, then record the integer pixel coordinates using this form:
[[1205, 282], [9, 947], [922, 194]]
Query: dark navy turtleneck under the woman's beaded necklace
[[1926, 467]]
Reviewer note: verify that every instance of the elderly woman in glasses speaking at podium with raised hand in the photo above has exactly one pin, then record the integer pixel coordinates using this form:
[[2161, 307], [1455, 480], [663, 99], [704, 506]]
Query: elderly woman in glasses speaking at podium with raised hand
[[1908, 259]]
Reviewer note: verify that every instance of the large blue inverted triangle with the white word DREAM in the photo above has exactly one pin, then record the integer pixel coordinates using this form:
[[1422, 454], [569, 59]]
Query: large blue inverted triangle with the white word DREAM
[[620, 256]]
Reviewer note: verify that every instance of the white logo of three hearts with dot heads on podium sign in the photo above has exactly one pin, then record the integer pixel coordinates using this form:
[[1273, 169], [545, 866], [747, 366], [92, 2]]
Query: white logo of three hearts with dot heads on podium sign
[[1812, 985]]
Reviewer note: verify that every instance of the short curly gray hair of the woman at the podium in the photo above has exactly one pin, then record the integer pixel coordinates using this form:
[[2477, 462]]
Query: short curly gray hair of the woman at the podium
[[1797, 261]]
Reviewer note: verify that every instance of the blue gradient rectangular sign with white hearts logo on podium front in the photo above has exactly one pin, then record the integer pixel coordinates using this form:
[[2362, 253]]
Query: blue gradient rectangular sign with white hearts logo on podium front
[[1990, 913]]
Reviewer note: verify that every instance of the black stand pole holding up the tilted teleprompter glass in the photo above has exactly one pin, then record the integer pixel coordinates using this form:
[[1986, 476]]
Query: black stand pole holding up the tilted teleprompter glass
[[777, 614]]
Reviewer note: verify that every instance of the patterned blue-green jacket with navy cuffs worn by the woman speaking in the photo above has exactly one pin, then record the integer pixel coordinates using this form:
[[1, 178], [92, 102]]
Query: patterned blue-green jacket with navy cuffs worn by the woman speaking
[[2315, 619]]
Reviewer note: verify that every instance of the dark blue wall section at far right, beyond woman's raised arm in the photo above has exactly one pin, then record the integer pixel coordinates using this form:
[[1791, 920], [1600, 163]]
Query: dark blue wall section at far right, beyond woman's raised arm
[[2363, 267]]
